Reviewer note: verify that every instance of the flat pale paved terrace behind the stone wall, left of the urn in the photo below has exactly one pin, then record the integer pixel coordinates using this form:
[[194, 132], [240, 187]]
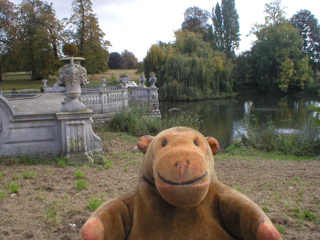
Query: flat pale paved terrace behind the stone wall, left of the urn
[[45, 103]]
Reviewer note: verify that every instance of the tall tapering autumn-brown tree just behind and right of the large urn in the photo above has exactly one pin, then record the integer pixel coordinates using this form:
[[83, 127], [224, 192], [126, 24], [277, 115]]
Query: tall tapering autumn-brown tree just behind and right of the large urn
[[88, 36]]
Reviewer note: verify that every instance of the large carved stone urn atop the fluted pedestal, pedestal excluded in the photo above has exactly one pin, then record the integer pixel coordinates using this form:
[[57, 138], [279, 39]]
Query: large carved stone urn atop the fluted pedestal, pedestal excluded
[[72, 75]]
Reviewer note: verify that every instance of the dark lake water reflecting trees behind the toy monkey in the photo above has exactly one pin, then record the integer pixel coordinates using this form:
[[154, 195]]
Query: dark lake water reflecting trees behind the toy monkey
[[223, 118]]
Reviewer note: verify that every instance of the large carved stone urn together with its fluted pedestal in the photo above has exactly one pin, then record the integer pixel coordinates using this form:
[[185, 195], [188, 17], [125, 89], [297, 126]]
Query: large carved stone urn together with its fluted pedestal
[[79, 143]]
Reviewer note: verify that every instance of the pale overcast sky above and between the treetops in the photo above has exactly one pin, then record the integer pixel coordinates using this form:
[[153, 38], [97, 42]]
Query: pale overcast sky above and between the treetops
[[137, 24]]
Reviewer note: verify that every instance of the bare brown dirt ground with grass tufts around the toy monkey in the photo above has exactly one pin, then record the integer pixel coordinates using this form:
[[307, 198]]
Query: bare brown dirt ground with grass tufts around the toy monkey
[[51, 201]]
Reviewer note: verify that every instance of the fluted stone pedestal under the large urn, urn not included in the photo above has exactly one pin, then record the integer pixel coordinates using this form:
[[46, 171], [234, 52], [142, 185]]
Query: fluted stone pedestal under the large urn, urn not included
[[79, 142]]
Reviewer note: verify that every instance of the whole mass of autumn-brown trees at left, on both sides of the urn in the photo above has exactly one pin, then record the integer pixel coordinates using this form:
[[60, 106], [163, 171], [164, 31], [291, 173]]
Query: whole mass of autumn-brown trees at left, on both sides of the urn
[[31, 37]]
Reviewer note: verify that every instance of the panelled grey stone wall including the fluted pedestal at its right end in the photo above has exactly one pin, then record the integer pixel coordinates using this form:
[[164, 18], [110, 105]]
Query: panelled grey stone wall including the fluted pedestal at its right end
[[48, 135]]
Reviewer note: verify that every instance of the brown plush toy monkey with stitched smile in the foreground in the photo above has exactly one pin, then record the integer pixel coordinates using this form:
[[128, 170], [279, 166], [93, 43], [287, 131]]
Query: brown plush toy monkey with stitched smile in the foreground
[[179, 197]]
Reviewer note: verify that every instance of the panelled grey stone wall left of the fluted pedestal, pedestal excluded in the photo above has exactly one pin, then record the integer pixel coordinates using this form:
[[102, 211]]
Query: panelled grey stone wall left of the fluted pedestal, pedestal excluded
[[32, 135]]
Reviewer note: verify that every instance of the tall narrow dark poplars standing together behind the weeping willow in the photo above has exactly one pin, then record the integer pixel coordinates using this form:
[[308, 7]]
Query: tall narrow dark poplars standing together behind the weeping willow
[[226, 27]]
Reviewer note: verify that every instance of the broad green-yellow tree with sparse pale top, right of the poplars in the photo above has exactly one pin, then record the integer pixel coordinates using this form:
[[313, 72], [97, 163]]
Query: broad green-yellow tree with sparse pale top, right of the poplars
[[278, 63]]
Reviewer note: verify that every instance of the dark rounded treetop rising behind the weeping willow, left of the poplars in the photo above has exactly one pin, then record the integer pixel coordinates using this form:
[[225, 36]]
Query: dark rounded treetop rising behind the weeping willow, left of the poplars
[[196, 20]]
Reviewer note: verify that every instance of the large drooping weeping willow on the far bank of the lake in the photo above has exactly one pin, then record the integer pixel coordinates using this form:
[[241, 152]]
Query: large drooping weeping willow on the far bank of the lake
[[190, 69]]
